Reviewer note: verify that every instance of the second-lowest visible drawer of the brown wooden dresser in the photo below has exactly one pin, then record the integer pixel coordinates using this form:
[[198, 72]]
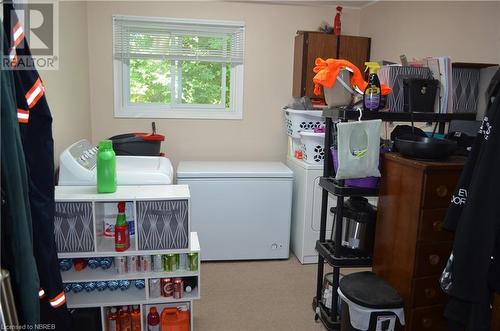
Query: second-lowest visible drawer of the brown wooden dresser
[[427, 292]]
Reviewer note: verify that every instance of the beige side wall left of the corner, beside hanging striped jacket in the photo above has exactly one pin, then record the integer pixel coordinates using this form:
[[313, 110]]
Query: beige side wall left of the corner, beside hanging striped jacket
[[67, 89]]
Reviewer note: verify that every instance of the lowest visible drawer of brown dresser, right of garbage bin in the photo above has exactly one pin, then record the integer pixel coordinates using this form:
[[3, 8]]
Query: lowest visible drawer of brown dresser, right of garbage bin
[[428, 319]]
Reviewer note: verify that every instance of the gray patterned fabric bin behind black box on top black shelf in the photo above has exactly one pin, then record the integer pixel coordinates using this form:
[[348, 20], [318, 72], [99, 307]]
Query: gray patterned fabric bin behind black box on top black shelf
[[393, 77]]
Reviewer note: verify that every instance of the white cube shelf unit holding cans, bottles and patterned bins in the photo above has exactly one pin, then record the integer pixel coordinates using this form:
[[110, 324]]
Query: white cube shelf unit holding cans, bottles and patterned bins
[[90, 214]]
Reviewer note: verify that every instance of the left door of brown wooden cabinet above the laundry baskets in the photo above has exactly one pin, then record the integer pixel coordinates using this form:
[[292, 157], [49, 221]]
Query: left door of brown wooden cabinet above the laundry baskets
[[318, 45]]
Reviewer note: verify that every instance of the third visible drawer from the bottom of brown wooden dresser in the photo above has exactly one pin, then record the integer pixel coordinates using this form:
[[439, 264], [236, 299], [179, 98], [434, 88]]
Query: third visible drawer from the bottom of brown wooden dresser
[[431, 258]]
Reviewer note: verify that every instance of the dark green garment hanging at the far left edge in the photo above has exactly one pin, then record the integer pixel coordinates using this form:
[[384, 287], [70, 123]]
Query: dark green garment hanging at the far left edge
[[17, 242]]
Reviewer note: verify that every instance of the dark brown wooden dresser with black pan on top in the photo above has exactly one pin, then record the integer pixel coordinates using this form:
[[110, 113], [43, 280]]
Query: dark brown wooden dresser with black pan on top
[[410, 249]]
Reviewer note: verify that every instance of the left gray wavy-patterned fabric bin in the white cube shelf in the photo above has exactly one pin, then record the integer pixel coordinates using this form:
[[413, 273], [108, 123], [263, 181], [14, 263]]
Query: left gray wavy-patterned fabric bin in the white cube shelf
[[74, 227]]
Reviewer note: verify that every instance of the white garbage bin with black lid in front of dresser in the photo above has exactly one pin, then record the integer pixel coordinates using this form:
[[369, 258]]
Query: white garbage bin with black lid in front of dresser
[[369, 303]]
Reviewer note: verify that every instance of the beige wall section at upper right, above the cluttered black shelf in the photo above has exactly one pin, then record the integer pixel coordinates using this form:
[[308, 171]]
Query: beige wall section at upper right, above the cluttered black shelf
[[468, 31]]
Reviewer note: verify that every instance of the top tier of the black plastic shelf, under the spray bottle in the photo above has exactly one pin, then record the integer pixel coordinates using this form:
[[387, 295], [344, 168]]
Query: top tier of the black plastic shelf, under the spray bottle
[[349, 114]]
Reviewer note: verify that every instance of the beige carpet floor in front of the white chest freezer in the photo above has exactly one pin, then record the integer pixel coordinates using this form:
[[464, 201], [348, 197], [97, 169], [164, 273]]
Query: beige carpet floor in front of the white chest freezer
[[257, 296]]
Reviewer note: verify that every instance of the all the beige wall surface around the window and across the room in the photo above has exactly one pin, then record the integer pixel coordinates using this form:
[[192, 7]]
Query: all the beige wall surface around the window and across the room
[[80, 93]]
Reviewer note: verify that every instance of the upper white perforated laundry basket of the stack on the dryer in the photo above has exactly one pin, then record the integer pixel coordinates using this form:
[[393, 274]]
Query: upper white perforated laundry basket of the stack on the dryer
[[302, 120]]
